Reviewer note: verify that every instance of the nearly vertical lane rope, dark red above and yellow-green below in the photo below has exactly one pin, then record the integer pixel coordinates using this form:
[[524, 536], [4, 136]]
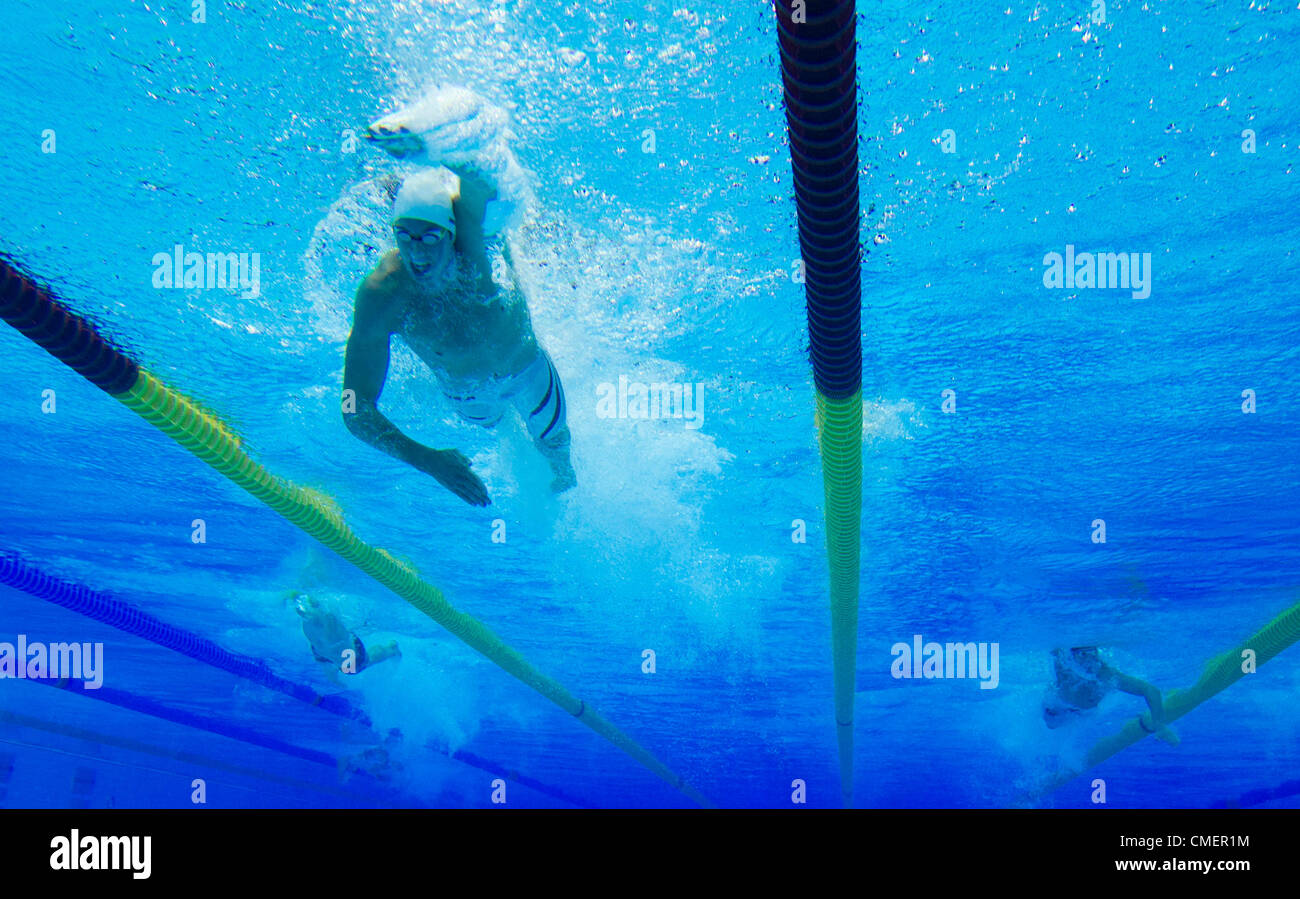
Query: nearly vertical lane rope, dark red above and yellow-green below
[[818, 50]]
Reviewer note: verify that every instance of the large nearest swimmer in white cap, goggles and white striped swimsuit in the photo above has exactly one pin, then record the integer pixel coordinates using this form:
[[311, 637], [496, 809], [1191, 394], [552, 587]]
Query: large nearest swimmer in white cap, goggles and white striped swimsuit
[[437, 293]]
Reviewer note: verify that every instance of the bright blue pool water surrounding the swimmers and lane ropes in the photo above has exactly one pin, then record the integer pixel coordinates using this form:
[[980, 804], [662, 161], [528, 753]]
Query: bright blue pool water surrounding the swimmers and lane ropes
[[674, 266]]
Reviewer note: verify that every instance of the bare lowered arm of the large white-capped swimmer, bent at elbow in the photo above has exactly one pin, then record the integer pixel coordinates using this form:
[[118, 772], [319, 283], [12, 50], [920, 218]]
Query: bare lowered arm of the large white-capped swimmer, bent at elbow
[[365, 372]]
